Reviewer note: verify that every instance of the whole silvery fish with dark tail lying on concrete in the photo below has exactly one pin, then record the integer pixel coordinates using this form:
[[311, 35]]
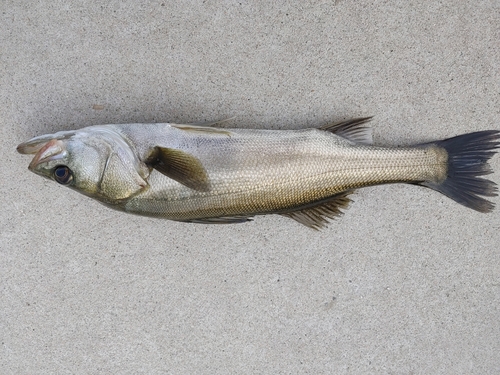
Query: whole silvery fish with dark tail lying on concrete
[[203, 173]]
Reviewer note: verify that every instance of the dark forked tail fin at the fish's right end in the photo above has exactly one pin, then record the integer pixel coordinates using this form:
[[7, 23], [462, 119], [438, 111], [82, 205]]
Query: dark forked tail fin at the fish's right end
[[468, 156]]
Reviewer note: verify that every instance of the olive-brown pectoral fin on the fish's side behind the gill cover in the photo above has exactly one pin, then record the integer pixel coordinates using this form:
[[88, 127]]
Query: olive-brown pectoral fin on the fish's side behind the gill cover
[[179, 166]]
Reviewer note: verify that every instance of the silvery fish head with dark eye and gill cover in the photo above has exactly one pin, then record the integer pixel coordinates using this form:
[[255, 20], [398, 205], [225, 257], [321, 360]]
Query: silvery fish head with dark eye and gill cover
[[96, 161]]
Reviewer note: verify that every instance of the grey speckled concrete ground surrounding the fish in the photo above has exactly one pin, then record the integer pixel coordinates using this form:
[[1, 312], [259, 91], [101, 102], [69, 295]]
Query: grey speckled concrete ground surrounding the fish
[[406, 282]]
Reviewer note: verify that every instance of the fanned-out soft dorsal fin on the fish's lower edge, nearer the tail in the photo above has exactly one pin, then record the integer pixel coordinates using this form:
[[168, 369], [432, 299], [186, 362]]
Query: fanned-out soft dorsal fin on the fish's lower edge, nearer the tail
[[316, 216]]
